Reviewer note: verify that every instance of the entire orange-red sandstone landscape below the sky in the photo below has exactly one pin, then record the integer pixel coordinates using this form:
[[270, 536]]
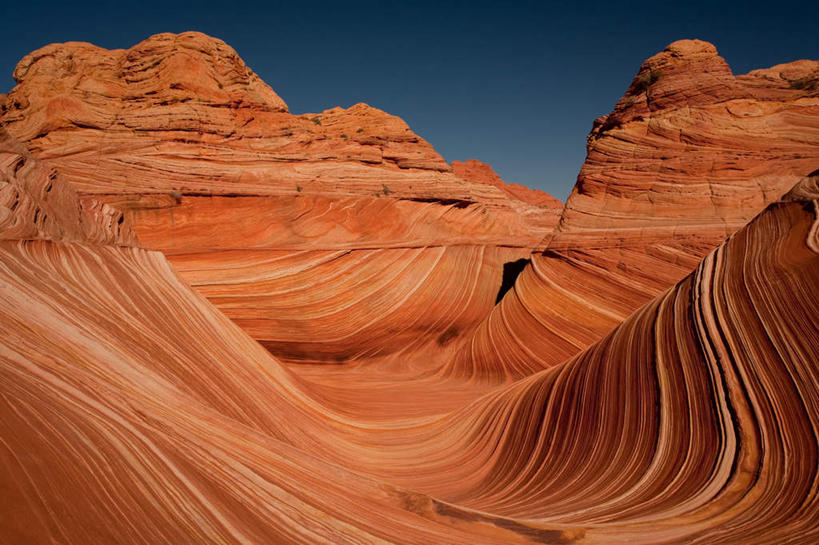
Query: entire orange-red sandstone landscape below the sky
[[645, 379]]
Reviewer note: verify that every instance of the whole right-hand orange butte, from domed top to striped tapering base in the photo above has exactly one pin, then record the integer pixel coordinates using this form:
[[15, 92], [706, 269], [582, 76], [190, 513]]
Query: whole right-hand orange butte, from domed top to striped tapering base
[[689, 155]]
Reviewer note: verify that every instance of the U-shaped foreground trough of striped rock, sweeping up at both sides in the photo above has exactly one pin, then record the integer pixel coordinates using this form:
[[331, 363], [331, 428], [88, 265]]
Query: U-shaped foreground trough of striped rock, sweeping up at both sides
[[135, 412]]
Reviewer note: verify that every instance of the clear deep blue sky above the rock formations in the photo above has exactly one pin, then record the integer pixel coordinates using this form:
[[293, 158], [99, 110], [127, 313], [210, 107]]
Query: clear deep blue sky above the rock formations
[[515, 84]]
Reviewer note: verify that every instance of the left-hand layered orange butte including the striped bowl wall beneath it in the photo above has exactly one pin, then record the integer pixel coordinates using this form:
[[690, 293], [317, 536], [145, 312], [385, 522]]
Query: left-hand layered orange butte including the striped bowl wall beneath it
[[260, 209]]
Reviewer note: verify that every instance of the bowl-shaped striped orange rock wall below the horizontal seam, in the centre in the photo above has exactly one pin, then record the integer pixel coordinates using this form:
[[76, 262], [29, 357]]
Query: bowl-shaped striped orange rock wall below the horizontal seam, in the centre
[[371, 302]]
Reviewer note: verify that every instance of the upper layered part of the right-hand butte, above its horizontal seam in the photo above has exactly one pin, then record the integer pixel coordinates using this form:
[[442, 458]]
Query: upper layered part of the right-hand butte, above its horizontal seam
[[690, 147]]
